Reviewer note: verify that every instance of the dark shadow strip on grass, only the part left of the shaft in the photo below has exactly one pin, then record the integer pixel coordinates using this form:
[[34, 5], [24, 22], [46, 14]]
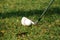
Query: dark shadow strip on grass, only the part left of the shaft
[[20, 13]]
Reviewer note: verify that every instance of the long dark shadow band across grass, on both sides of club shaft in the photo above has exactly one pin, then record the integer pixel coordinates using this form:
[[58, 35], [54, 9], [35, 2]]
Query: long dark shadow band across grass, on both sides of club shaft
[[29, 13]]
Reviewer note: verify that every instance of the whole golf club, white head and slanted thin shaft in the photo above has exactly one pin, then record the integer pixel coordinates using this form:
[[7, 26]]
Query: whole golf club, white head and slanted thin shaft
[[27, 22]]
